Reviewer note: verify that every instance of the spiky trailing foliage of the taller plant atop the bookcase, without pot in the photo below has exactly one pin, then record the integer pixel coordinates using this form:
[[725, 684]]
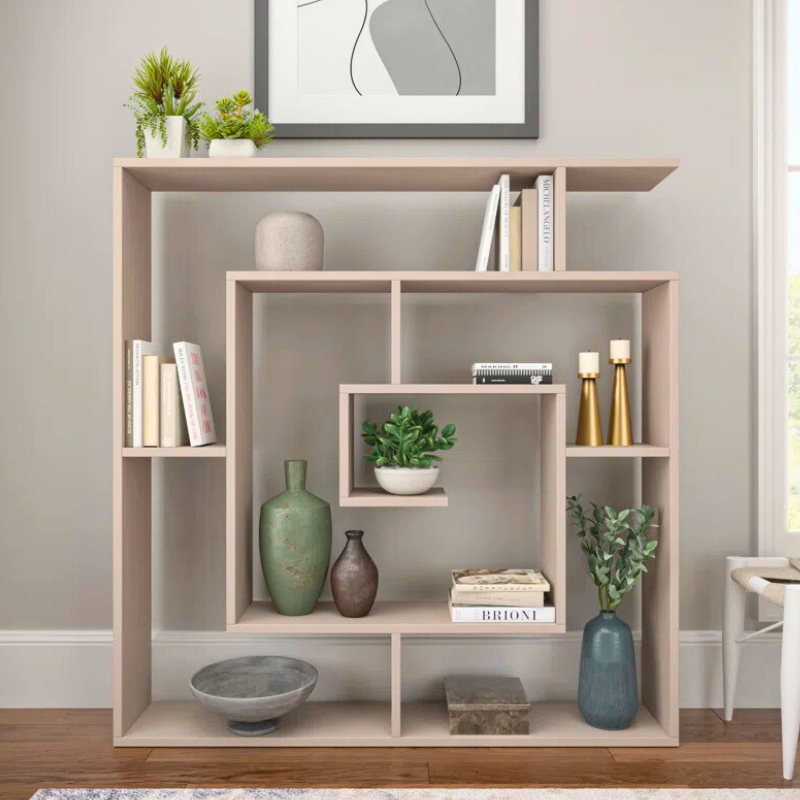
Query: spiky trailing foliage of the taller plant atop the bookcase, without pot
[[164, 87]]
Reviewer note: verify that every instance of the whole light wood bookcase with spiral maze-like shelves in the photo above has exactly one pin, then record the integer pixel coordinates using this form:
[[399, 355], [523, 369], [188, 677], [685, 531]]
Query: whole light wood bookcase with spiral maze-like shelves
[[138, 721]]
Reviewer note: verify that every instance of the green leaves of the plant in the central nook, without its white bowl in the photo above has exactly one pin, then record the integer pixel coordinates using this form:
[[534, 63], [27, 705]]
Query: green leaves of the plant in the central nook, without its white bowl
[[407, 439]]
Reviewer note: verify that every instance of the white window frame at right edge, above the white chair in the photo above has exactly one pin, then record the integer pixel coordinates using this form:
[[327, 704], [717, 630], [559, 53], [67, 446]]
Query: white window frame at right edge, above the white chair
[[770, 186]]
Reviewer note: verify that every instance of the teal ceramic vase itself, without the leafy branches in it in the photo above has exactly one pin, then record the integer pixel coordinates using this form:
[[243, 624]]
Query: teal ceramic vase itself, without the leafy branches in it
[[607, 693]]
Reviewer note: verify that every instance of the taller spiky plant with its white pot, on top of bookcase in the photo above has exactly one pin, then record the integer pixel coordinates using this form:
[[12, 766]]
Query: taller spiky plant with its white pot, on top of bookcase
[[163, 105]]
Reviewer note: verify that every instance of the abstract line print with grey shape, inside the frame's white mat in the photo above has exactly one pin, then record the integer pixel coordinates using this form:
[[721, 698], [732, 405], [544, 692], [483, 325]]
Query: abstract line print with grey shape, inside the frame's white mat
[[396, 47]]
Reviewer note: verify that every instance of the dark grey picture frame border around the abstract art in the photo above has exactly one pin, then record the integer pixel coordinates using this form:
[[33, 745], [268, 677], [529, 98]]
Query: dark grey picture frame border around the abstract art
[[529, 129]]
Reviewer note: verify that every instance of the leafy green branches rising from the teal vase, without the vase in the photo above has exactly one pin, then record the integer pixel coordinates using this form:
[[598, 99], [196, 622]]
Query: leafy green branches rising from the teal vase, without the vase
[[616, 546]]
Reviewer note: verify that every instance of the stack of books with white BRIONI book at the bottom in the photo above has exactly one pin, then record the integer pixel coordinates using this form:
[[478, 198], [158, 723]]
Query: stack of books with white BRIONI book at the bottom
[[500, 595]]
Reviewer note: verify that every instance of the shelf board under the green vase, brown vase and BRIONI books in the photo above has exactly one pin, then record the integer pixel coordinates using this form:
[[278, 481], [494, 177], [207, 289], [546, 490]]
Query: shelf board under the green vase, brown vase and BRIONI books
[[387, 616]]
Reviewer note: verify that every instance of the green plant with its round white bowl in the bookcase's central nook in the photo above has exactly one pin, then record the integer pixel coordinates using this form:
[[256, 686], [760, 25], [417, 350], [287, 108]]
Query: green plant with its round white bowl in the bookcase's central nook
[[403, 450]]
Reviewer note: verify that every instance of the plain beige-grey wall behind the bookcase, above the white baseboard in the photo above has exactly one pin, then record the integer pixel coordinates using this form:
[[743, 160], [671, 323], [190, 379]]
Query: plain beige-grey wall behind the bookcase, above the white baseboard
[[618, 77]]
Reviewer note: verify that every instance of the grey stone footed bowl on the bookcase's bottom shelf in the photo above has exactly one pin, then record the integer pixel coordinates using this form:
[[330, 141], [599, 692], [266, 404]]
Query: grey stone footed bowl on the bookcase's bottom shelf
[[254, 692]]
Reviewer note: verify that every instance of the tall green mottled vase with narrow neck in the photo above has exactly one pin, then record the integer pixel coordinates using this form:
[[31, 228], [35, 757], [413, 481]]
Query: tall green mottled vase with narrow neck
[[295, 543]]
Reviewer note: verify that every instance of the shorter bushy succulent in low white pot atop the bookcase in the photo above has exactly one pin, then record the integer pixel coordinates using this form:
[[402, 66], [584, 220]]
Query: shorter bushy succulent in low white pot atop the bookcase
[[233, 131]]
